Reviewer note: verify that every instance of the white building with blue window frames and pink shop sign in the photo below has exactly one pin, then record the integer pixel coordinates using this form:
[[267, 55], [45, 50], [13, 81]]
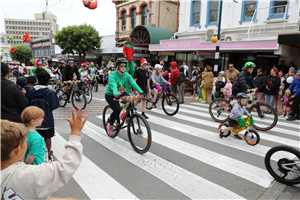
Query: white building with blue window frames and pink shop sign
[[249, 31]]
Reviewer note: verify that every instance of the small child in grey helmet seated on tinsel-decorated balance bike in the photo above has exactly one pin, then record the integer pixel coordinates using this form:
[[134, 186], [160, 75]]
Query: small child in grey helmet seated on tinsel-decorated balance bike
[[239, 109]]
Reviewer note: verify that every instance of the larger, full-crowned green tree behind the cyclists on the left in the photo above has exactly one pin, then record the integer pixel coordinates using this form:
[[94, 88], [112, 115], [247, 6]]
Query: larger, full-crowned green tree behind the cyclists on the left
[[78, 40]]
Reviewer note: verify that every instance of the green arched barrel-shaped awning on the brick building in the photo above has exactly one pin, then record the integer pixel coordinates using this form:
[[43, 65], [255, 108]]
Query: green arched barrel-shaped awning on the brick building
[[146, 35]]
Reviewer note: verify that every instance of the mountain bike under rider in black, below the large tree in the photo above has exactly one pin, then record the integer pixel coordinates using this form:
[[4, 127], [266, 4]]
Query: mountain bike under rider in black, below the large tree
[[78, 98]]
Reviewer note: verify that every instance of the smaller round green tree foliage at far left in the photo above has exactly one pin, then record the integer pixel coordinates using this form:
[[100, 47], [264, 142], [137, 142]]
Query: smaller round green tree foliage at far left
[[23, 53]]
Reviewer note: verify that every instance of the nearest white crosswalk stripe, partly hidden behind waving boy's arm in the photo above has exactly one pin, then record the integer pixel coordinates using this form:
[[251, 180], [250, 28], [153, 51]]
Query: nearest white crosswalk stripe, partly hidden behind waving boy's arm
[[98, 185]]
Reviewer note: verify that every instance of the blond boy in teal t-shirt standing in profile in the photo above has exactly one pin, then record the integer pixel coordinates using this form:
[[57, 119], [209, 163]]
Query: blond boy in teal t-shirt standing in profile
[[36, 152]]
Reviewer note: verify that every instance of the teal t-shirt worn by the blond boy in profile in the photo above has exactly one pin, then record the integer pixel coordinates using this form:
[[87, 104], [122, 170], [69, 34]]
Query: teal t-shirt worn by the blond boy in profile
[[36, 146]]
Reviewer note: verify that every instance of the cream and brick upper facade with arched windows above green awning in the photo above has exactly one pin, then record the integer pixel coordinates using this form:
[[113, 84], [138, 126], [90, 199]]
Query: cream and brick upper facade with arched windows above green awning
[[131, 13]]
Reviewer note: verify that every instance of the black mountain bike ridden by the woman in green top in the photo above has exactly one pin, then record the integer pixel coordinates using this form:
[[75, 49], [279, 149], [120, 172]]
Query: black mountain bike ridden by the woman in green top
[[138, 129]]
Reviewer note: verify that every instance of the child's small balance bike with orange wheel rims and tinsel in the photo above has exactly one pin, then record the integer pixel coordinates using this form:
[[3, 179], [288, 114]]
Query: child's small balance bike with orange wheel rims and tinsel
[[251, 136]]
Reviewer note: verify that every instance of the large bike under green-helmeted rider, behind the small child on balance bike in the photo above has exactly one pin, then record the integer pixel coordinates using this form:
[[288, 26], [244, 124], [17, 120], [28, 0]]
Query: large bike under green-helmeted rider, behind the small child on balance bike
[[264, 121]]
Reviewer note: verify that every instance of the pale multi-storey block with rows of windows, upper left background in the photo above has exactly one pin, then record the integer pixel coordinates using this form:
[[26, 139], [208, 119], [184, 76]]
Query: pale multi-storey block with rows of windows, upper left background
[[42, 25]]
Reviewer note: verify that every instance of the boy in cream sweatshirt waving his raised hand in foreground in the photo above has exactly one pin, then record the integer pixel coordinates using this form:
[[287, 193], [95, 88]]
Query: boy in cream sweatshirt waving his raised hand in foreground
[[36, 181]]
